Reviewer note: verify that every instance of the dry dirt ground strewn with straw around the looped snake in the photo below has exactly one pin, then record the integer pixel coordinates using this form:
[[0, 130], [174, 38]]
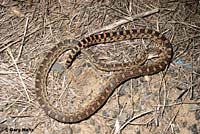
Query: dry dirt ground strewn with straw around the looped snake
[[167, 102]]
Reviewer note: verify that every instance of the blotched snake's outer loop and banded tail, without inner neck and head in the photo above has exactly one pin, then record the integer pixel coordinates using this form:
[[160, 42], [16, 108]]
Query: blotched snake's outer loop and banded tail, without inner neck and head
[[164, 59]]
